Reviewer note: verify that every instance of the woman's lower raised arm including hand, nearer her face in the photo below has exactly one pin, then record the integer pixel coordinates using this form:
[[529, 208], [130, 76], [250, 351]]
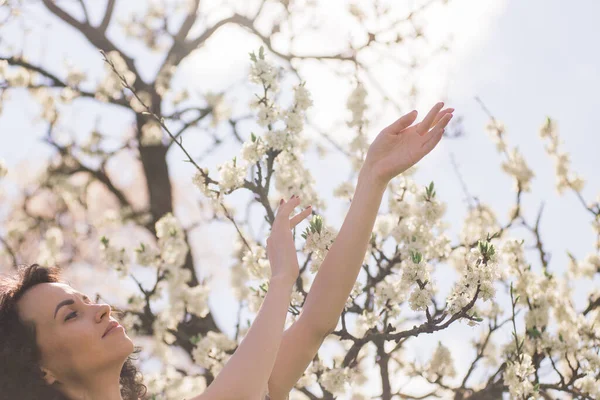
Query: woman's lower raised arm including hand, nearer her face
[[245, 375]]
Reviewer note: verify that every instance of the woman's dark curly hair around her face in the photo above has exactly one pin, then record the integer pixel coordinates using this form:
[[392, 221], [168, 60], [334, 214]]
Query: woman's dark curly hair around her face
[[20, 374]]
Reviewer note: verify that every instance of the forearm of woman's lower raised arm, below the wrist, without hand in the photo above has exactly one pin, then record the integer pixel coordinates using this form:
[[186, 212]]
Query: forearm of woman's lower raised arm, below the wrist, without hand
[[245, 375]]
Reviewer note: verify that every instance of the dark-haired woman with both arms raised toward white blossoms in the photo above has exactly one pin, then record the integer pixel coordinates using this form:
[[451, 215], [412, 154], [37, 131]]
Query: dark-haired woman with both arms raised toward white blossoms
[[55, 344]]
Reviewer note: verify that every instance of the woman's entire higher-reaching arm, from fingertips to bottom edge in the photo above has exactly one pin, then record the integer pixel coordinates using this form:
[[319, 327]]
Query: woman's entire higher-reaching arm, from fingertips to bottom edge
[[395, 149]]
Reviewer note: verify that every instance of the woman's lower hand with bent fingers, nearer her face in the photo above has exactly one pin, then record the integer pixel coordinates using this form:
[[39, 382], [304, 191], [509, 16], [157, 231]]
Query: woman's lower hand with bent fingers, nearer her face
[[281, 250]]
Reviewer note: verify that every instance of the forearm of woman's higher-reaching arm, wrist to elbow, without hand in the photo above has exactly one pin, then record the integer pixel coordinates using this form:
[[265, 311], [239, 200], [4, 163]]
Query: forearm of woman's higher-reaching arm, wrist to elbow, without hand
[[338, 272]]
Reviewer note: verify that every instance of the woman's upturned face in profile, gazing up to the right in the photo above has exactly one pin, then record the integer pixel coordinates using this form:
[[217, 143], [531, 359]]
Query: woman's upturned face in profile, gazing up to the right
[[69, 330]]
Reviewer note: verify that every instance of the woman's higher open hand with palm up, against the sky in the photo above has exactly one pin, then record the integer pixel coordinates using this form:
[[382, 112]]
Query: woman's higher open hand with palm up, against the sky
[[400, 145]]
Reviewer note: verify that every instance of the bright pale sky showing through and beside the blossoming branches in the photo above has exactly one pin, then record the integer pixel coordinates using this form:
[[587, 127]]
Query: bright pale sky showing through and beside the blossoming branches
[[525, 60]]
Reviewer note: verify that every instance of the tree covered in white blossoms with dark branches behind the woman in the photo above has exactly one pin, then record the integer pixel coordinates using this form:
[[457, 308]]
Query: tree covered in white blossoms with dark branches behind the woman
[[76, 212]]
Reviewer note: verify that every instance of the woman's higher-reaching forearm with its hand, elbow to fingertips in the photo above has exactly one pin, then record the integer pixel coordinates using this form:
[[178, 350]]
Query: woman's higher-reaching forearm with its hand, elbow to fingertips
[[397, 148]]
